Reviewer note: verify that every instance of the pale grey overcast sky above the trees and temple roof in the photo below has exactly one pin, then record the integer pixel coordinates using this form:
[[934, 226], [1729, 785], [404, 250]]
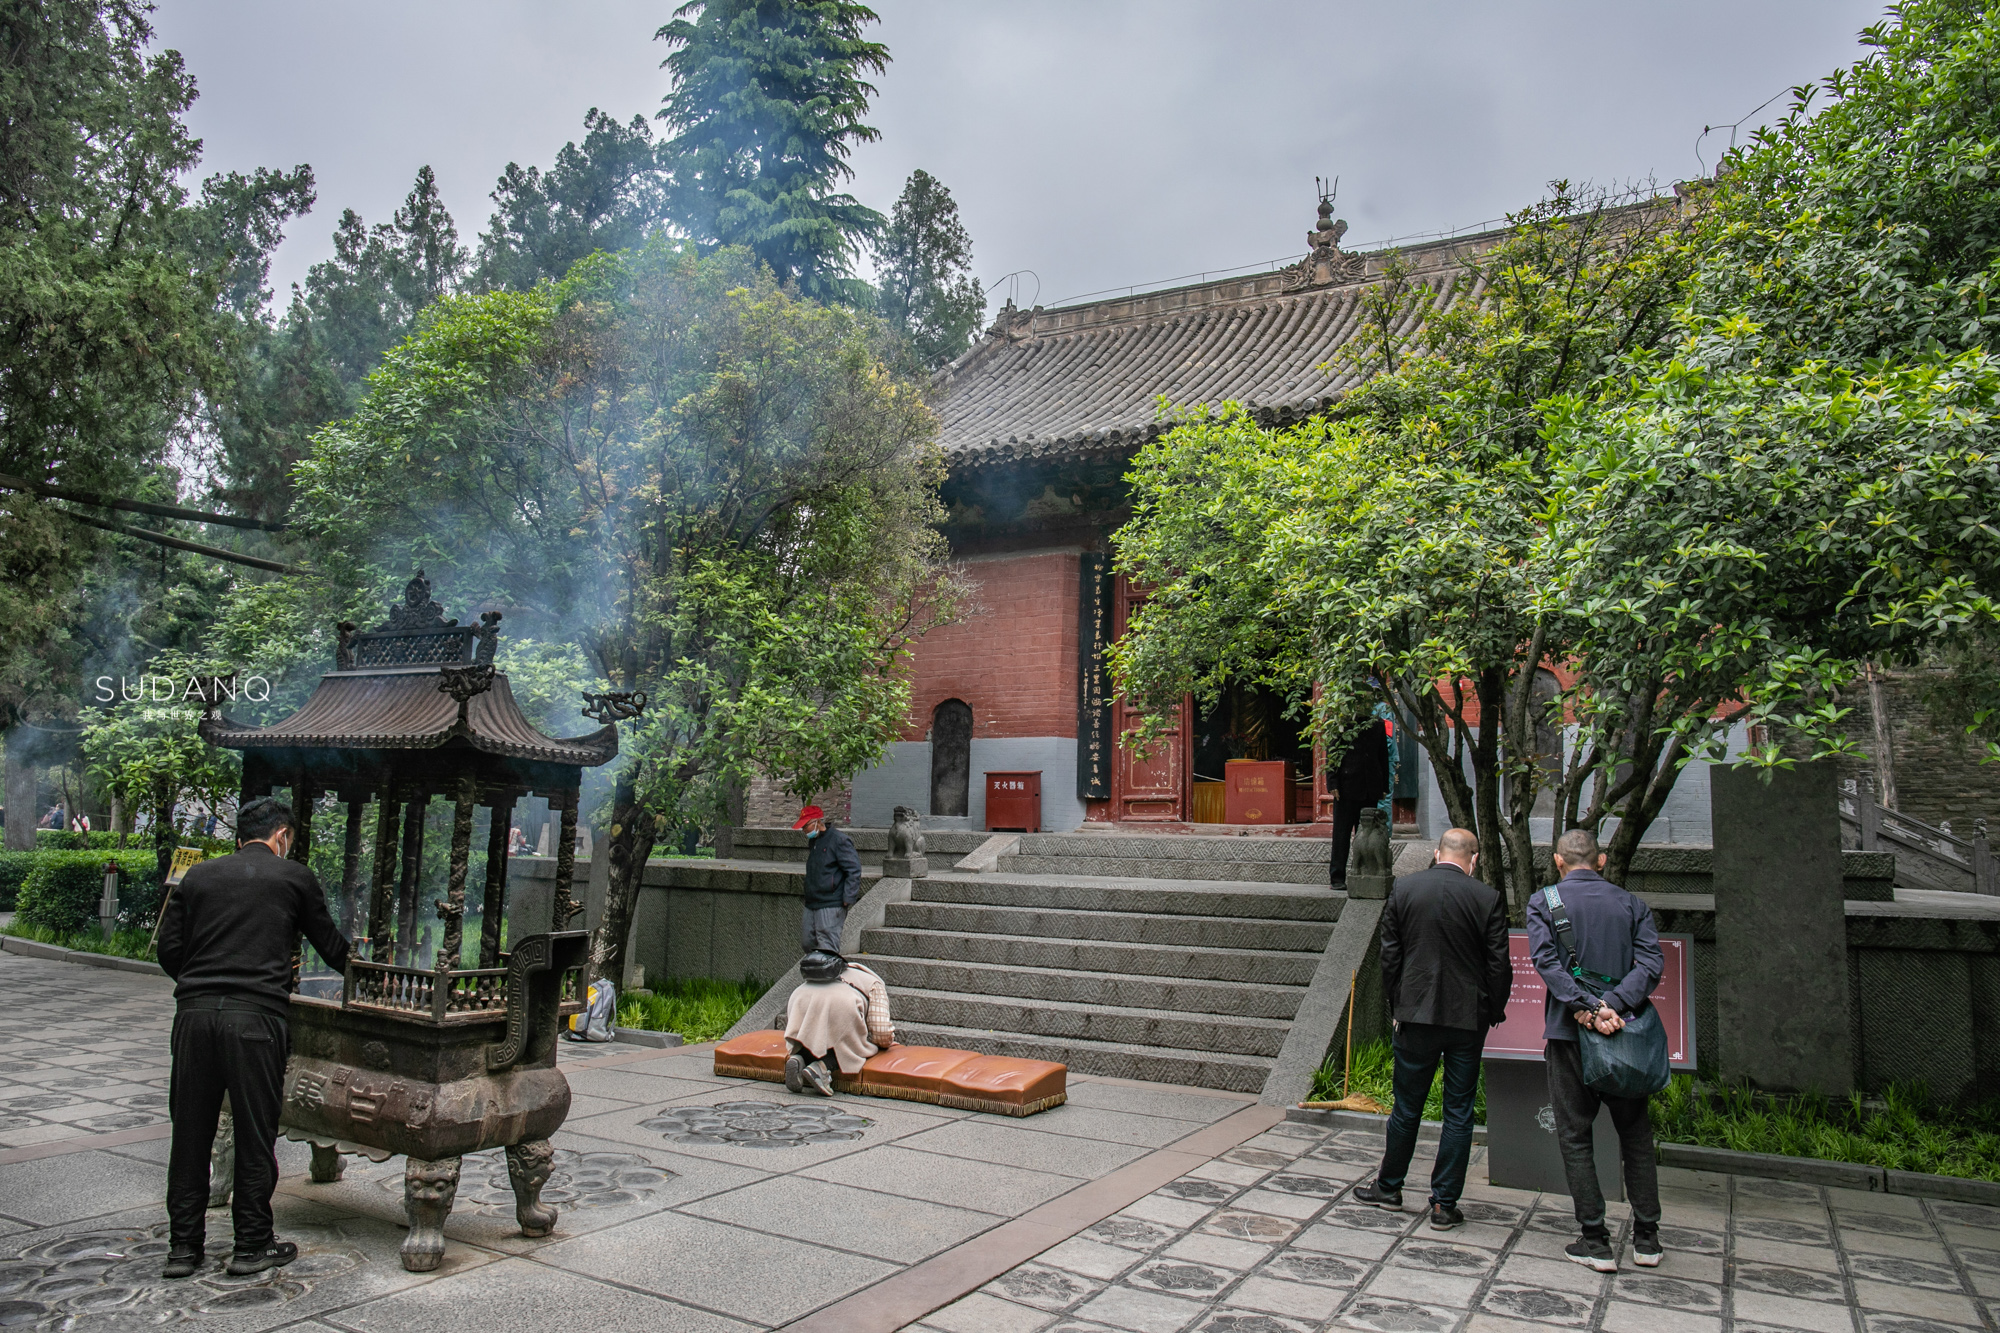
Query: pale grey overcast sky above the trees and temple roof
[[1097, 143]]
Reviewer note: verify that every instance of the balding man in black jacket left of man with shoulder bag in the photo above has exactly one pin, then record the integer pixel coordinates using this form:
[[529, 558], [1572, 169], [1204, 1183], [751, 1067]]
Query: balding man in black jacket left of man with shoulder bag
[[1445, 976]]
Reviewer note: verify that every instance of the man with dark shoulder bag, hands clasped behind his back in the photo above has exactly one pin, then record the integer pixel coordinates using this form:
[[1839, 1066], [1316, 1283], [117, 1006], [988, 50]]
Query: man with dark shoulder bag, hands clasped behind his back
[[1619, 954]]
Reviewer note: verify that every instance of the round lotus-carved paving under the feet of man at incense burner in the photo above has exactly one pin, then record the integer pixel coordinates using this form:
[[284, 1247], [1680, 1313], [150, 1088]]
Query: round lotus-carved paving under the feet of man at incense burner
[[111, 1282]]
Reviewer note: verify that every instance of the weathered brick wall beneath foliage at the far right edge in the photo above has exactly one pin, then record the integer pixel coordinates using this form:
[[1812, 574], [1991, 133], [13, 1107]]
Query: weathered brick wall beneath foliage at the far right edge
[[1939, 774]]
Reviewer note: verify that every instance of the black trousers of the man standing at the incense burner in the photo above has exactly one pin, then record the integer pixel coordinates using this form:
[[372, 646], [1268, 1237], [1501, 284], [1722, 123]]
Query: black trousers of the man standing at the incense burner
[[225, 1048]]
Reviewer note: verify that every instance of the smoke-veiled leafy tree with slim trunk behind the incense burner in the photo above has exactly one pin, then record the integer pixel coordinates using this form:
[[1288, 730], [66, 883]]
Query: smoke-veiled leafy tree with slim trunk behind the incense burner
[[713, 489]]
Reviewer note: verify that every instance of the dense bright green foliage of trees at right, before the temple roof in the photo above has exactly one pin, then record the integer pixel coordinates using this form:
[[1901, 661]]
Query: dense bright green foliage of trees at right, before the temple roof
[[1639, 471]]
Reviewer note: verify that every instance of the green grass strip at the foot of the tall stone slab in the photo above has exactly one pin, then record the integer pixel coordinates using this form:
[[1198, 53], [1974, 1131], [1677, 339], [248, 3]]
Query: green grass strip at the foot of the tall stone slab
[[1905, 1132]]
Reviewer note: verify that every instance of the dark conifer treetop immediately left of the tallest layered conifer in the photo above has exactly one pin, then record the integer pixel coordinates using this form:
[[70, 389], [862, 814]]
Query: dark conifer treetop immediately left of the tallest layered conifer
[[607, 193]]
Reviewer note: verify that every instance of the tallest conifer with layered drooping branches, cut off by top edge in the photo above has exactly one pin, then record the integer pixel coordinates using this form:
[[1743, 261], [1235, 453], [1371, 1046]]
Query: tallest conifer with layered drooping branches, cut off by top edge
[[767, 107]]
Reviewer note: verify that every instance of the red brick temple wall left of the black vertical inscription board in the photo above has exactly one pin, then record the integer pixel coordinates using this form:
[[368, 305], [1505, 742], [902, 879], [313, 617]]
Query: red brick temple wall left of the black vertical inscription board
[[1015, 663]]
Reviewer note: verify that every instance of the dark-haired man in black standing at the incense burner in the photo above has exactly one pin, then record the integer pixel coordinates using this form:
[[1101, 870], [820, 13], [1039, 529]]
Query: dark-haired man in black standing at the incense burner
[[227, 940]]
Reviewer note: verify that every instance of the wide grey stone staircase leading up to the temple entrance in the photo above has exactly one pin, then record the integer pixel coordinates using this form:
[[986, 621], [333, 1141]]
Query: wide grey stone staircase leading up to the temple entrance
[[1177, 960]]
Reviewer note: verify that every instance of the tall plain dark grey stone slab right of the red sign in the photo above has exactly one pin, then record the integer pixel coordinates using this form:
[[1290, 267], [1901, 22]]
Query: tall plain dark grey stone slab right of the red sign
[[1781, 930]]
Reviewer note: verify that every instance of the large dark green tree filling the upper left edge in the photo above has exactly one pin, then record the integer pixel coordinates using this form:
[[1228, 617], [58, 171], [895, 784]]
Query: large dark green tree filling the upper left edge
[[121, 295]]
